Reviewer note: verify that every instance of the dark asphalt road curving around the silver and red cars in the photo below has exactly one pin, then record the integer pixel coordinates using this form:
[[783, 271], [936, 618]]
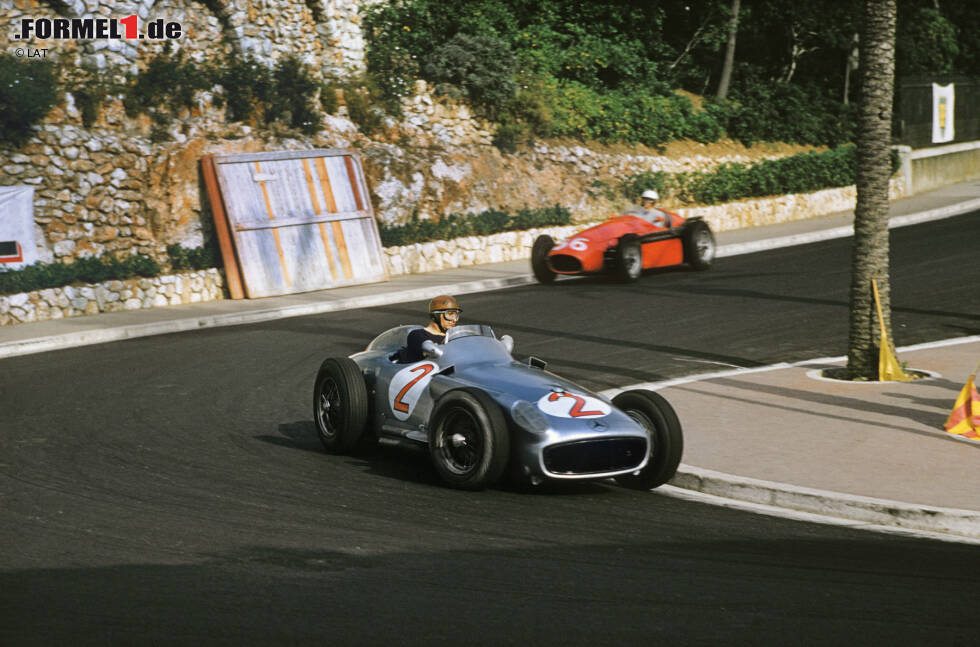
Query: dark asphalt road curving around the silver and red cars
[[171, 490]]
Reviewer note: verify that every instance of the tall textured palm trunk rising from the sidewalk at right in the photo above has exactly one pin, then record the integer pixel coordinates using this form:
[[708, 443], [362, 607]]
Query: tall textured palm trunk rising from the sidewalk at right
[[870, 256]]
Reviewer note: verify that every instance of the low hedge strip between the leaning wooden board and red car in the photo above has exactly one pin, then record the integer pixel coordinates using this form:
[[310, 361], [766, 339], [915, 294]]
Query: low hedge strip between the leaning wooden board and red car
[[481, 224]]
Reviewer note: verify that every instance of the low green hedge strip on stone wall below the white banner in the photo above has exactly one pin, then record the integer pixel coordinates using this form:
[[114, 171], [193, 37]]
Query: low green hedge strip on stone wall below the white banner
[[40, 276]]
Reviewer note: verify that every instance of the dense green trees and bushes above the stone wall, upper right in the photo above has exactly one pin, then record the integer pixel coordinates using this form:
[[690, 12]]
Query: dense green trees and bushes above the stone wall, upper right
[[596, 70]]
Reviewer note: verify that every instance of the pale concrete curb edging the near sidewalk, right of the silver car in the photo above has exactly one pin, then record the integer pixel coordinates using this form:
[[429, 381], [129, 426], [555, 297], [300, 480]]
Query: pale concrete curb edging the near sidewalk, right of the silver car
[[883, 512]]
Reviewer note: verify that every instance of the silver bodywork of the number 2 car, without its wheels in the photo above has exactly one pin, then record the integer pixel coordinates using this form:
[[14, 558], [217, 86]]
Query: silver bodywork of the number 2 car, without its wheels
[[554, 423]]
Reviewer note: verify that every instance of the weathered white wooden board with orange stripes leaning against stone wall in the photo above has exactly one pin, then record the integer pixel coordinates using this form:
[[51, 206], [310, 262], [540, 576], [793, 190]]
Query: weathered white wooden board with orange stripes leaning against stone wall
[[299, 220]]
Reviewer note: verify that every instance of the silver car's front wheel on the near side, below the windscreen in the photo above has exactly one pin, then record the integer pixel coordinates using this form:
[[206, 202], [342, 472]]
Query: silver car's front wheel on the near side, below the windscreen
[[468, 440]]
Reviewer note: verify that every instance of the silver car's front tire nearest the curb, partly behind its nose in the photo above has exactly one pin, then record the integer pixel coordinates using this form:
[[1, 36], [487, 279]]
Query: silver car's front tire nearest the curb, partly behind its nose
[[666, 438]]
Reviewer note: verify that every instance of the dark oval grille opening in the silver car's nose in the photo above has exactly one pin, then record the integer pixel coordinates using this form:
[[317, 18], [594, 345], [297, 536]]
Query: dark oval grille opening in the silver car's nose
[[595, 456]]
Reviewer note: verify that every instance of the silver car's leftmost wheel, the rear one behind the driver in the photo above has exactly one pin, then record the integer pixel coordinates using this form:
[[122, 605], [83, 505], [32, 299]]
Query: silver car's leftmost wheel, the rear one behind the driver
[[340, 405]]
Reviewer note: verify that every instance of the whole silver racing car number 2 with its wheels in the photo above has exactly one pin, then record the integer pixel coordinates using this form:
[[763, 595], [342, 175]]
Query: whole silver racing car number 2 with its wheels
[[482, 413]]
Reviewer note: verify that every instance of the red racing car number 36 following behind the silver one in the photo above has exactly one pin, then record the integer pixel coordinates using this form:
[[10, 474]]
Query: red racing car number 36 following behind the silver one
[[626, 245]]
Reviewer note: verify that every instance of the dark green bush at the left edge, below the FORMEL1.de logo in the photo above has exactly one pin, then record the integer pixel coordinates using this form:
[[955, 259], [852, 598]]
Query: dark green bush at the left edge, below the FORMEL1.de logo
[[28, 90]]
